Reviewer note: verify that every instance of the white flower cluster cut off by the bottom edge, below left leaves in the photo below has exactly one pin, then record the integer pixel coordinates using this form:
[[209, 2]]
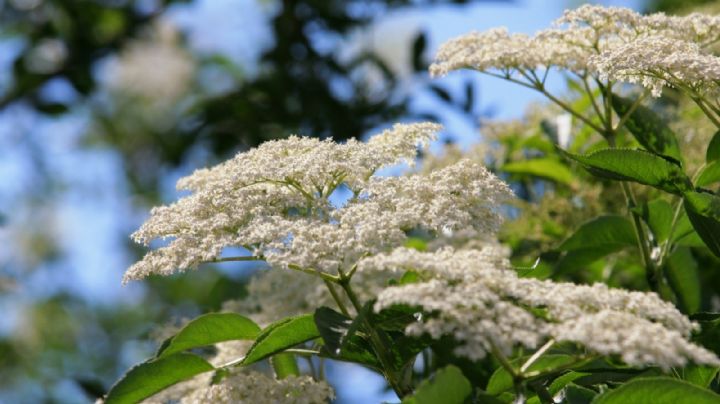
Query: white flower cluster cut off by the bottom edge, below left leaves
[[254, 387]]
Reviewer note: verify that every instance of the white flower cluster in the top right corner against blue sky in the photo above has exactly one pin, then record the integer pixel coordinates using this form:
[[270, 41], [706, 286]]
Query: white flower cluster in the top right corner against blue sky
[[607, 42]]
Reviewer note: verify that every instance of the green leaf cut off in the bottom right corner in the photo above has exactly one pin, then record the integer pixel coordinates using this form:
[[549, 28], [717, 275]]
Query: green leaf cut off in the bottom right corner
[[658, 390]]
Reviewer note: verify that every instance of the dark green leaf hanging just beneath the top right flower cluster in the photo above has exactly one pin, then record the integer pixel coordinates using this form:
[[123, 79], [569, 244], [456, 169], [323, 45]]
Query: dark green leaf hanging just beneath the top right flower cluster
[[648, 128]]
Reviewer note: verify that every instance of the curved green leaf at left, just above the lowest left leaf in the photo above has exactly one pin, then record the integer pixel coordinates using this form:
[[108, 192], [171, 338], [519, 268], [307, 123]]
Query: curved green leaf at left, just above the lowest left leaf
[[209, 329]]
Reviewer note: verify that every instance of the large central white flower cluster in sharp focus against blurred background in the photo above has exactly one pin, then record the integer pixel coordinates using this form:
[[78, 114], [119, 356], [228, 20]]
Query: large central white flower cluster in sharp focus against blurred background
[[275, 201]]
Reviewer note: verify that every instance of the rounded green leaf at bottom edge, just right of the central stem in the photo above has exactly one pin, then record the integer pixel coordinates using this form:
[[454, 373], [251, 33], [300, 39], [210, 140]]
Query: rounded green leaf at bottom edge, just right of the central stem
[[447, 386]]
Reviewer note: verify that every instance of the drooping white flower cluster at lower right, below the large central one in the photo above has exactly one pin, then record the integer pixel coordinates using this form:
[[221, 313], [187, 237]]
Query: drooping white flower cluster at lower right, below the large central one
[[474, 296]]
